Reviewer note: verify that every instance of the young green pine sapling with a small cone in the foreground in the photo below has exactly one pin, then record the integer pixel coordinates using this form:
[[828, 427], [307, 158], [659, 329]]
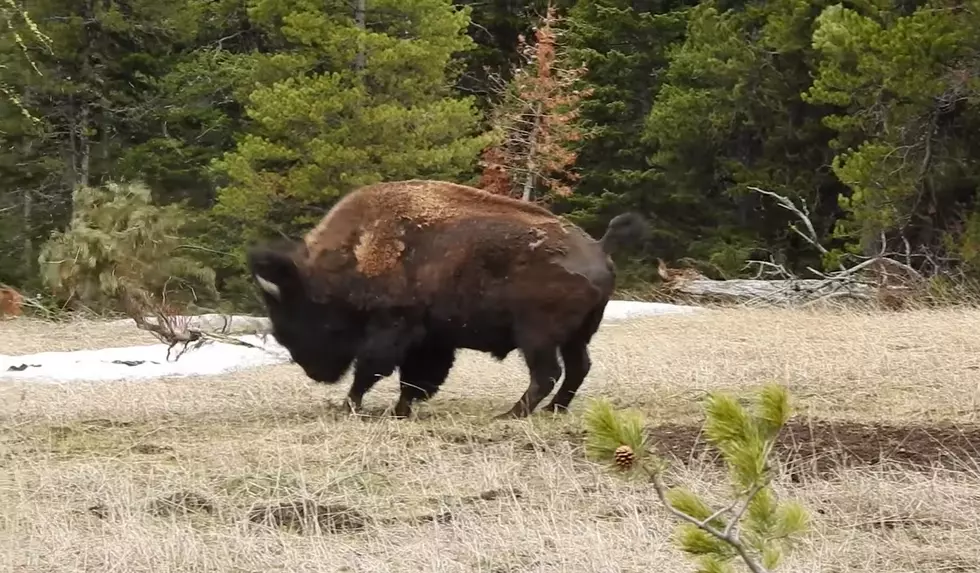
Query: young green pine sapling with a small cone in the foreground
[[754, 527]]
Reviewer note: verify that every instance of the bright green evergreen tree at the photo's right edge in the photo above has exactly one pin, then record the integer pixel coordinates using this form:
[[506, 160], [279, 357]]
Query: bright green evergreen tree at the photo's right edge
[[905, 86]]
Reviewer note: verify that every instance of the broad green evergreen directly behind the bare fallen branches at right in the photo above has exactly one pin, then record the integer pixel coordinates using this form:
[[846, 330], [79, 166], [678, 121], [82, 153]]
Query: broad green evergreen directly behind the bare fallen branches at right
[[731, 116]]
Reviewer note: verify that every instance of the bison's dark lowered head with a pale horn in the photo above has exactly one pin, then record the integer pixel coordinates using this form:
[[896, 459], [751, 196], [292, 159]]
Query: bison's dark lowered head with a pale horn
[[320, 334]]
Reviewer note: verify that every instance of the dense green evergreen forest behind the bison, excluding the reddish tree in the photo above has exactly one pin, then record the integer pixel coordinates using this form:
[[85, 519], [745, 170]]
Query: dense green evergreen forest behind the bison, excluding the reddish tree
[[259, 114]]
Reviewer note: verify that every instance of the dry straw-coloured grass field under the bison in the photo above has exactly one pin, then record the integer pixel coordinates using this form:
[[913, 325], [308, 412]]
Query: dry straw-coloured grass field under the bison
[[210, 474]]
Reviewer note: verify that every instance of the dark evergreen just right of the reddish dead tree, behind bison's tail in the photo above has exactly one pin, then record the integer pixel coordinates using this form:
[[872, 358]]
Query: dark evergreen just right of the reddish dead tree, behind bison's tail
[[624, 46]]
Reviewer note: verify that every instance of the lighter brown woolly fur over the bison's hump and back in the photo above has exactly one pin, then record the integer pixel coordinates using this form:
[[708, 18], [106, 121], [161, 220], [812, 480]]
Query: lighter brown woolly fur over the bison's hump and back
[[383, 232]]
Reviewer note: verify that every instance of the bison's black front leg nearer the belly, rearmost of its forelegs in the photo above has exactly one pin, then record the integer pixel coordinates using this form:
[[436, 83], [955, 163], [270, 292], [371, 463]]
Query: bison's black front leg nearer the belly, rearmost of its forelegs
[[423, 370]]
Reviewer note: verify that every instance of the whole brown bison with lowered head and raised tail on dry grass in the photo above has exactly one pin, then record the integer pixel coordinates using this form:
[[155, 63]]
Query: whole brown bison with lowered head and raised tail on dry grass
[[400, 275]]
